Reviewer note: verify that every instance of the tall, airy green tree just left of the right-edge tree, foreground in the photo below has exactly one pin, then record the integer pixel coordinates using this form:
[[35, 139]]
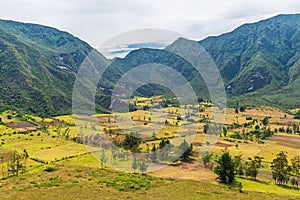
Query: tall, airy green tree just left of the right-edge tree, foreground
[[280, 168]]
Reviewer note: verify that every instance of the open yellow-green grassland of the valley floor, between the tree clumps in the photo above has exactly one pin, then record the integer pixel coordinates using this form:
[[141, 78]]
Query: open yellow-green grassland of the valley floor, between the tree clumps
[[60, 168]]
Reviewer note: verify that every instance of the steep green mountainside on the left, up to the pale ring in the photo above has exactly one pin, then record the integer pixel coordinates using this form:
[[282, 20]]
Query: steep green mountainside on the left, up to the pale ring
[[38, 65]]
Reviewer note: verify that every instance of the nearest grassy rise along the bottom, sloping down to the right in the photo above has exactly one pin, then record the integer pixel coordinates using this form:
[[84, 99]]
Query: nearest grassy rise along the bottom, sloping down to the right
[[82, 178]]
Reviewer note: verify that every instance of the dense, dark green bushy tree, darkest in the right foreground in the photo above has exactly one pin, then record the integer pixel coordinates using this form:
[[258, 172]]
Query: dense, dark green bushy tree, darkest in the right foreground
[[225, 167]]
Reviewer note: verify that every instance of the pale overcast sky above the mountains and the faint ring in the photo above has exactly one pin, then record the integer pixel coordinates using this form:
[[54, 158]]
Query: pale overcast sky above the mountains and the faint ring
[[96, 21]]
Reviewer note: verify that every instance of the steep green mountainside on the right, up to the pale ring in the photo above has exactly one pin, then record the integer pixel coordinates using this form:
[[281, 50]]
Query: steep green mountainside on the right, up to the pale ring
[[261, 61]]
